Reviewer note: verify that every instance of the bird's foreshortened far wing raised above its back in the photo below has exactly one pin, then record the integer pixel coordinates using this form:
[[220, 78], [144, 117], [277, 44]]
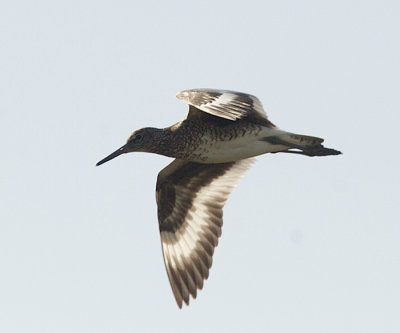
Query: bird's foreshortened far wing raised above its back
[[226, 104]]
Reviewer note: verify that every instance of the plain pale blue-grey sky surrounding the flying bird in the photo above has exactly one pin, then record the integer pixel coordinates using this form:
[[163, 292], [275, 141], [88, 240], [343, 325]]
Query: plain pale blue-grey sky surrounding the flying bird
[[308, 244]]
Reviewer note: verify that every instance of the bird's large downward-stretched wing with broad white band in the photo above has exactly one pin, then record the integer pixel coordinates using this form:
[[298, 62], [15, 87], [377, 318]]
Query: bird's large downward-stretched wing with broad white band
[[190, 197]]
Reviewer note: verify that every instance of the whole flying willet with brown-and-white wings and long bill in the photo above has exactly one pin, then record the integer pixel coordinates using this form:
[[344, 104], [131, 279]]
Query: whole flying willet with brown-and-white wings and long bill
[[213, 147]]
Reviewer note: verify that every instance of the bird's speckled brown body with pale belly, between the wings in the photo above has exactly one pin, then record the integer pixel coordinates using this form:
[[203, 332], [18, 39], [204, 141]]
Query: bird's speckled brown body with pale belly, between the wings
[[210, 142]]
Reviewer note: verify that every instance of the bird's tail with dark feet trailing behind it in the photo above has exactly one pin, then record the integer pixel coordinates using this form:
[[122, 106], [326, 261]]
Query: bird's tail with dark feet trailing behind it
[[304, 144]]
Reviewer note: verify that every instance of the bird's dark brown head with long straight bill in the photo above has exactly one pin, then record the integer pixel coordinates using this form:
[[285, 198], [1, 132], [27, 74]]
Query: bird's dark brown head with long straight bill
[[142, 140]]
